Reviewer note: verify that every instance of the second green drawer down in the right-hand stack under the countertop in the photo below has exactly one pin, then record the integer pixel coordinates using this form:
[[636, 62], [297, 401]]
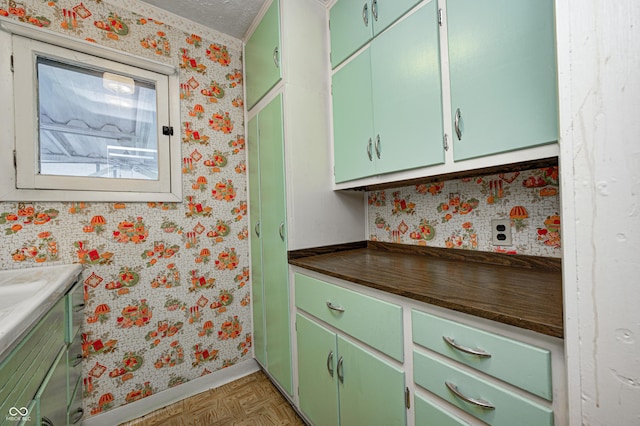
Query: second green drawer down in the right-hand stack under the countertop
[[510, 408]]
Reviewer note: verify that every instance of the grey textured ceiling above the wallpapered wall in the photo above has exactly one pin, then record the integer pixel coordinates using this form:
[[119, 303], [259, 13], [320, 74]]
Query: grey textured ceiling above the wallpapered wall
[[232, 17]]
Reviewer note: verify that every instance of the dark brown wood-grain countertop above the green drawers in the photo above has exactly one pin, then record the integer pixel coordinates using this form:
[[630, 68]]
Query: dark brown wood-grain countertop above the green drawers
[[523, 291]]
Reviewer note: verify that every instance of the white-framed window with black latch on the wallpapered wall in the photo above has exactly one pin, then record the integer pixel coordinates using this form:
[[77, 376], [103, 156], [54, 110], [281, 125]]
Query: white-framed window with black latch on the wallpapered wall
[[90, 123]]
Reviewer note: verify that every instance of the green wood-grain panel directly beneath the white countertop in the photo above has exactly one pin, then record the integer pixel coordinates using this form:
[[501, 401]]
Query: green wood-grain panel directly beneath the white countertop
[[22, 372]]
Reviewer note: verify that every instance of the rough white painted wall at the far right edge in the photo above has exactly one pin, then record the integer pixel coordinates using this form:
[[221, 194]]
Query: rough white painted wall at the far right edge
[[599, 76]]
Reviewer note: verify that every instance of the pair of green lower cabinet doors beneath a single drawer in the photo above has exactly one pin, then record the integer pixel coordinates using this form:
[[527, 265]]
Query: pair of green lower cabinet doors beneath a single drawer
[[343, 383]]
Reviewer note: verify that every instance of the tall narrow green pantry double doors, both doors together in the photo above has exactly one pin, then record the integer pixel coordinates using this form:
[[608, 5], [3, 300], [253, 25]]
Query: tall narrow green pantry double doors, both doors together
[[269, 265]]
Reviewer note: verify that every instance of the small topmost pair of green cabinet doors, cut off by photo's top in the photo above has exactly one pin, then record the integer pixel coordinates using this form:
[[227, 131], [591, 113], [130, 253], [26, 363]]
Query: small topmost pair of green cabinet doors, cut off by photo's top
[[355, 22]]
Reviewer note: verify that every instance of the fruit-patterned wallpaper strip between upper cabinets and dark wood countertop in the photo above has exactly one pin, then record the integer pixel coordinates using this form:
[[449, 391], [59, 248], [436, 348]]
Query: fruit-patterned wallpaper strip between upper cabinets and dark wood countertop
[[457, 213]]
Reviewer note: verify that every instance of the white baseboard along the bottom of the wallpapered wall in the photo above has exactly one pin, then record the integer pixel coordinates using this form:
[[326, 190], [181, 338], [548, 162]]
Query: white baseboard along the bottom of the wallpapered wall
[[162, 399]]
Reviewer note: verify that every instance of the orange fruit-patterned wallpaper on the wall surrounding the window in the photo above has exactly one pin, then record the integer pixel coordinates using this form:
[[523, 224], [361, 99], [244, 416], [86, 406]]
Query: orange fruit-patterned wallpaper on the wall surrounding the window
[[166, 285]]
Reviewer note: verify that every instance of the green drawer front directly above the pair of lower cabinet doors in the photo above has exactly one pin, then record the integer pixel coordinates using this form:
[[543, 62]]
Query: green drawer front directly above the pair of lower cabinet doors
[[373, 321]]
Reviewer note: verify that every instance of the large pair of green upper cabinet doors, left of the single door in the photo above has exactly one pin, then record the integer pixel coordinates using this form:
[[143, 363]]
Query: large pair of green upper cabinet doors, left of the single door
[[387, 102]]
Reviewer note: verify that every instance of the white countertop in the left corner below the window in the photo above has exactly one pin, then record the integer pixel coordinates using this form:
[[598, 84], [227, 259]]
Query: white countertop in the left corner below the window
[[26, 295]]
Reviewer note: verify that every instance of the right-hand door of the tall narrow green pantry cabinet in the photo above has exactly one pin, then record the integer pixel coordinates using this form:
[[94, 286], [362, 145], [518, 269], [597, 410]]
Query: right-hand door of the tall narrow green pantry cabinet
[[275, 267]]
